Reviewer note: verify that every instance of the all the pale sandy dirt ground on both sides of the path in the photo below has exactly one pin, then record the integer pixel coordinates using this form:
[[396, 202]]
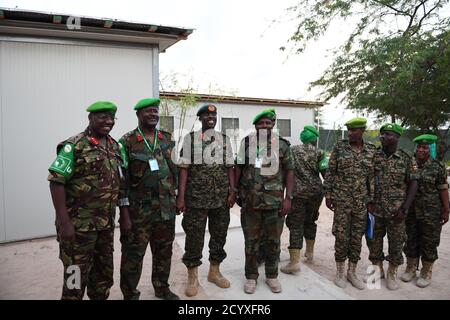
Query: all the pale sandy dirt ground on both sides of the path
[[32, 270]]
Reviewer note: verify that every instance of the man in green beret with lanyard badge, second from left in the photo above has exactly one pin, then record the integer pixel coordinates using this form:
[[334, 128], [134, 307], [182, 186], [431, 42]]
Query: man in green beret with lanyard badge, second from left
[[150, 195]]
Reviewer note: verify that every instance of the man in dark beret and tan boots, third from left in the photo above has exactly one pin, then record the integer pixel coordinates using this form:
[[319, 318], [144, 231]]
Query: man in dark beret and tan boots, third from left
[[206, 186]]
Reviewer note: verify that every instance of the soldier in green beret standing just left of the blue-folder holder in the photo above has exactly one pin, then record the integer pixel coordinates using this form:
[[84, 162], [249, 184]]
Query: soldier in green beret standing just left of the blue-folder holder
[[348, 187]]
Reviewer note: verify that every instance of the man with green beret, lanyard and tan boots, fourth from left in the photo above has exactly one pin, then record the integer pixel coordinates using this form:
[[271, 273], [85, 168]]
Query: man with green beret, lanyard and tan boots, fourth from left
[[264, 170]]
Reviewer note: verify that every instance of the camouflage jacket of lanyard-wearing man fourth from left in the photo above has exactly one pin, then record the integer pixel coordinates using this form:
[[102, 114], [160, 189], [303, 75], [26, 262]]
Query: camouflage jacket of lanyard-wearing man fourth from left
[[263, 188]]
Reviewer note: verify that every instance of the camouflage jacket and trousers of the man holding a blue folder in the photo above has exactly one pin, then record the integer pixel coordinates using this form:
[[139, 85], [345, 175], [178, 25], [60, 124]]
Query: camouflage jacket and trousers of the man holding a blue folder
[[392, 177]]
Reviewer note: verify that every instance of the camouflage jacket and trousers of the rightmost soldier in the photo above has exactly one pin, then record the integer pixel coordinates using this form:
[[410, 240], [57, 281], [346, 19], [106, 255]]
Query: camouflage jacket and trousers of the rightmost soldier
[[423, 227]]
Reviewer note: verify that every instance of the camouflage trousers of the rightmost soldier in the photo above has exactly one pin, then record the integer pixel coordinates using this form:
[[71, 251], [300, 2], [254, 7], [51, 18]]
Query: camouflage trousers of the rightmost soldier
[[423, 237]]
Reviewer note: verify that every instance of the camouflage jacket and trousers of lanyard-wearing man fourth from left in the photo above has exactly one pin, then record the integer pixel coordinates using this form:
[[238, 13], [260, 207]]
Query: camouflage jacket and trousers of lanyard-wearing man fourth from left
[[260, 197]]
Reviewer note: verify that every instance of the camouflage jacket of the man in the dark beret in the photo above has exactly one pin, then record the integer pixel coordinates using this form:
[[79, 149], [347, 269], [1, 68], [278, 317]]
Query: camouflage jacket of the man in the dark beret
[[207, 182]]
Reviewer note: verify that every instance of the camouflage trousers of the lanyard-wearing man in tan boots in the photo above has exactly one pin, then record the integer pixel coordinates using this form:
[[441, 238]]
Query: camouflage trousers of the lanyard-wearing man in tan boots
[[255, 223]]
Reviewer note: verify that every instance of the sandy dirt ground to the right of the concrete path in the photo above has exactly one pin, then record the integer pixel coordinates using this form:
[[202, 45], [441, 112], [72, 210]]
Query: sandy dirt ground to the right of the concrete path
[[324, 265]]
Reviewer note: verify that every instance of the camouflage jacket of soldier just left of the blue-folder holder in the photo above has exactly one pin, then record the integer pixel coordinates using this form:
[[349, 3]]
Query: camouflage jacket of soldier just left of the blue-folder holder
[[349, 177]]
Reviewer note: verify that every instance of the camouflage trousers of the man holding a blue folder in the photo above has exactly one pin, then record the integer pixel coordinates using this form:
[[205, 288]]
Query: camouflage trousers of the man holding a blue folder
[[396, 235]]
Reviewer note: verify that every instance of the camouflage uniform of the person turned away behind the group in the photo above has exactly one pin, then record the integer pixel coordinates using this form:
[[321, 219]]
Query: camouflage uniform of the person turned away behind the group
[[308, 195]]
